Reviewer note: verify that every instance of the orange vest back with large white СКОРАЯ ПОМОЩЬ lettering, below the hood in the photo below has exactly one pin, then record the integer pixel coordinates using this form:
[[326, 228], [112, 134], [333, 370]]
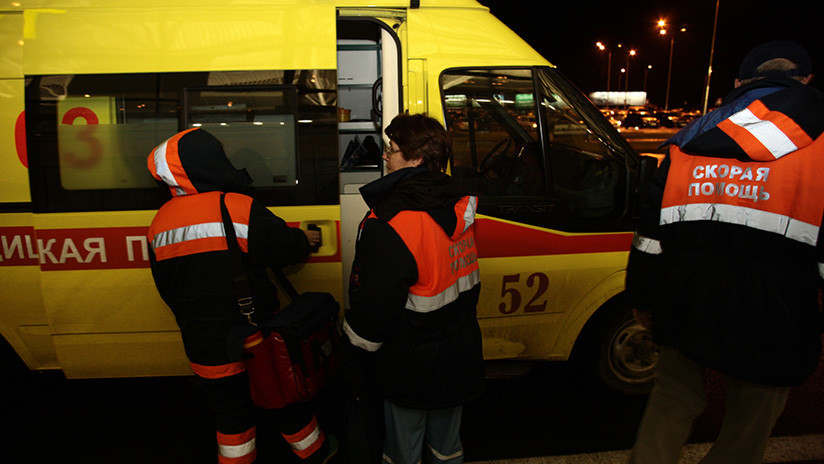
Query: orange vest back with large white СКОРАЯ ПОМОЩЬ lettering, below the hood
[[781, 196]]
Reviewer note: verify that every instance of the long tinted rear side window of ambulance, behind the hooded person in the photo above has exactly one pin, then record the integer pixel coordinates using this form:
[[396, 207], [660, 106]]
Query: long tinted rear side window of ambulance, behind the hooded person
[[89, 136]]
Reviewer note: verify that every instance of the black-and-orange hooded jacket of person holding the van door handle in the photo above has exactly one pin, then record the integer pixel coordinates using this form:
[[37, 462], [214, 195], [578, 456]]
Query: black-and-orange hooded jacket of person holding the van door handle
[[189, 258]]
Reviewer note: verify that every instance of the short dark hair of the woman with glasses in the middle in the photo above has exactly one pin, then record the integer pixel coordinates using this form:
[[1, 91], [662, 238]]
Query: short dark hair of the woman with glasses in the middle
[[421, 137]]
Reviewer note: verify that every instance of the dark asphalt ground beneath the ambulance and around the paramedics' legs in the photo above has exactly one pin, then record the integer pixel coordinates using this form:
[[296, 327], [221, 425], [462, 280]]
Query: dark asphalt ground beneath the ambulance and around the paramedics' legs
[[553, 414]]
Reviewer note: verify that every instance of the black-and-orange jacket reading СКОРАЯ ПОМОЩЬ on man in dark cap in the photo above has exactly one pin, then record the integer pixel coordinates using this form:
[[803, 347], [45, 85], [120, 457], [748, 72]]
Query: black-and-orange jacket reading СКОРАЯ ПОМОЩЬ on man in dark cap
[[729, 250]]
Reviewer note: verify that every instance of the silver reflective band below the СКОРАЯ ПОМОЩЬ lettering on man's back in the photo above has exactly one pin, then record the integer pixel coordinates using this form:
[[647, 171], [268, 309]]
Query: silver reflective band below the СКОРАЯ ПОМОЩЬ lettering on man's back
[[762, 220]]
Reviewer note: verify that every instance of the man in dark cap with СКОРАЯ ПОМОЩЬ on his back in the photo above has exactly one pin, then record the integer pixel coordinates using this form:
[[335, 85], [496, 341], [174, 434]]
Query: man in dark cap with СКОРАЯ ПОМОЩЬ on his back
[[727, 261]]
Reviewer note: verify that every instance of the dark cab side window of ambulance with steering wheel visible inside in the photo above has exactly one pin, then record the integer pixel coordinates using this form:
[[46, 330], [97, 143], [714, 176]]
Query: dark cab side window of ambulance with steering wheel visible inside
[[530, 151]]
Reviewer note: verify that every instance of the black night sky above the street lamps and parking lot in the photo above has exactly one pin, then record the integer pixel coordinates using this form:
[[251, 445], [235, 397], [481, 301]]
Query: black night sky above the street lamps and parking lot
[[567, 31]]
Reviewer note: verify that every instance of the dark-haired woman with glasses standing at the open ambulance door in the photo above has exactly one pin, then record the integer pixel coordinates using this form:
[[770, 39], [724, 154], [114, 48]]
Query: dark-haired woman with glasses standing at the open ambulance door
[[413, 293]]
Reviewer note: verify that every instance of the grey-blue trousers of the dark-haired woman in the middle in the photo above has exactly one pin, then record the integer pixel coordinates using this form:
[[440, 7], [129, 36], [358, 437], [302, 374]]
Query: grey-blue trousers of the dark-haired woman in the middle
[[407, 430]]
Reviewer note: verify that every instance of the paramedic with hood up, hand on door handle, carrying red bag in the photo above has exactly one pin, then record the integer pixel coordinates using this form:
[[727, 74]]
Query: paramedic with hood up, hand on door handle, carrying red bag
[[191, 266]]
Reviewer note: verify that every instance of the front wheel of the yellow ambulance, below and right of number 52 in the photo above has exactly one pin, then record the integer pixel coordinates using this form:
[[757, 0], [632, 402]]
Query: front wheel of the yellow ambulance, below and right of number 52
[[620, 353]]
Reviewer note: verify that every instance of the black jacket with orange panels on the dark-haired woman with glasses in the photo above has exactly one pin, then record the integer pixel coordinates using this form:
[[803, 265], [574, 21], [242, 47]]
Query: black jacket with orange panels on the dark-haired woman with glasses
[[414, 290]]
